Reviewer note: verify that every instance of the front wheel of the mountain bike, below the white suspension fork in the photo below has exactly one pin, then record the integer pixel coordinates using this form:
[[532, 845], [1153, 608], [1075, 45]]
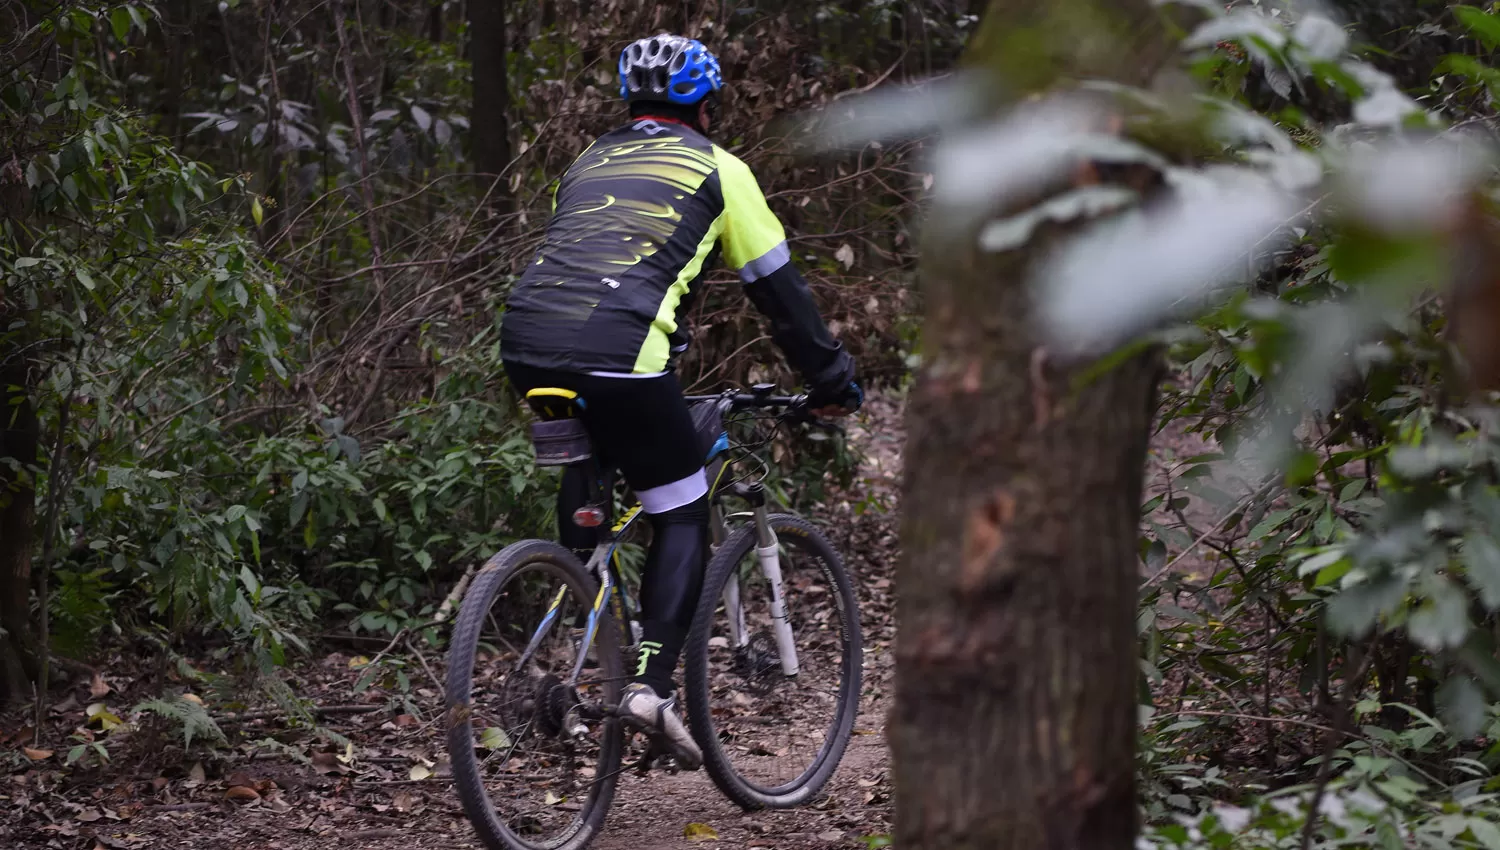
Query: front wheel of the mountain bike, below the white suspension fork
[[773, 740]]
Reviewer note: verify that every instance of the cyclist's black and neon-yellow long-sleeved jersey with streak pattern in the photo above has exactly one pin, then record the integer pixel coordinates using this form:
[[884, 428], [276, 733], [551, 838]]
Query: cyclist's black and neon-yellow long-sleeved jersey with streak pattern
[[637, 221]]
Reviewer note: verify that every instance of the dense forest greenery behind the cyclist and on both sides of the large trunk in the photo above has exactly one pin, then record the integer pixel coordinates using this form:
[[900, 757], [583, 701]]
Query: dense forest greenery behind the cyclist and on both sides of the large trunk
[[253, 256]]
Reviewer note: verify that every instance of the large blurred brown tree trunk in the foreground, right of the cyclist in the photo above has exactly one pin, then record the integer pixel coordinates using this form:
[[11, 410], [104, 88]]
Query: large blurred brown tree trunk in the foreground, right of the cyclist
[[1015, 720]]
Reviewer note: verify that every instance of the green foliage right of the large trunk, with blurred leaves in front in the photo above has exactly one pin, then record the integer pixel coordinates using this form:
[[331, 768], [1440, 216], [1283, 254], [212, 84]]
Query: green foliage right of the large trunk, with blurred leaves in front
[[1318, 623]]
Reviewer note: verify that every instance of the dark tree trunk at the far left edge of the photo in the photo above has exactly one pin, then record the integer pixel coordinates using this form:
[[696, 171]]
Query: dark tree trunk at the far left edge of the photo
[[19, 447]]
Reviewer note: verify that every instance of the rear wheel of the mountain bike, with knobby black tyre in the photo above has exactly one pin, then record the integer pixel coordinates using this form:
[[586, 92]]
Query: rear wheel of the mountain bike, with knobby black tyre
[[535, 759]]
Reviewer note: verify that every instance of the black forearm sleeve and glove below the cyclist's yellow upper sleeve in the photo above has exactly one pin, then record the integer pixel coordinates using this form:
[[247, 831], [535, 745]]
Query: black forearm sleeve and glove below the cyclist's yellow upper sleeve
[[799, 331]]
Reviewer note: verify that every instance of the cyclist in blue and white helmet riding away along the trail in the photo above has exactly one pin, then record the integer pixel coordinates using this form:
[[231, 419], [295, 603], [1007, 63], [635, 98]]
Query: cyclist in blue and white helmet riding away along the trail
[[602, 313]]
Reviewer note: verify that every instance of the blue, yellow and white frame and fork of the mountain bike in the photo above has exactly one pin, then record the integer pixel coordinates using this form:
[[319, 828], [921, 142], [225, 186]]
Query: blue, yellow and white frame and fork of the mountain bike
[[611, 590]]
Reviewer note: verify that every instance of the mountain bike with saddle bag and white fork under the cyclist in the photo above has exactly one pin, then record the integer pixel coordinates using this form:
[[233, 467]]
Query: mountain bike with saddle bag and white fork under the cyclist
[[539, 651]]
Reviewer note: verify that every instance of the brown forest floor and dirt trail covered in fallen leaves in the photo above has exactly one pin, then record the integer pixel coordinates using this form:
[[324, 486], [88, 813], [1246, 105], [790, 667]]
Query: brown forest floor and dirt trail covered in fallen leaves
[[394, 791]]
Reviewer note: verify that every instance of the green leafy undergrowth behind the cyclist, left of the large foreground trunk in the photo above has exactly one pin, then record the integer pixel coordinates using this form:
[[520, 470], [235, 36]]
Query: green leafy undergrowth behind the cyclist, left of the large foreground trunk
[[256, 292]]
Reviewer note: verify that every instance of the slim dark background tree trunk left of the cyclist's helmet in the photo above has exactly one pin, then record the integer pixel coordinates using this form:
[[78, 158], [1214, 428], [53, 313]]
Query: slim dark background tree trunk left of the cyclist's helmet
[[490, 131]]
